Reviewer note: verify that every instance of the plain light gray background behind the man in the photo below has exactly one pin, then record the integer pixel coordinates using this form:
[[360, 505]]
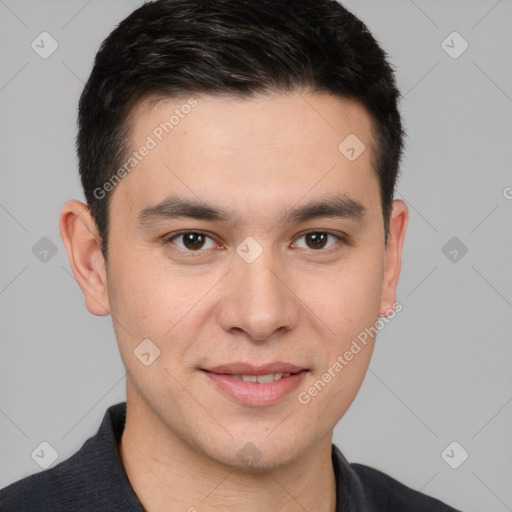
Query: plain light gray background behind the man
[[441, 369]]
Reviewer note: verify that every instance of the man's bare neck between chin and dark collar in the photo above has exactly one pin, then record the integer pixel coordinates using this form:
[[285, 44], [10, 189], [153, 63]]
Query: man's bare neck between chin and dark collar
[[168, 474]]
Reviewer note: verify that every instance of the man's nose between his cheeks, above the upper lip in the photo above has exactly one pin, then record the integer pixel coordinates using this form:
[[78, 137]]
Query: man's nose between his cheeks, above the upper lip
[[259, 299]]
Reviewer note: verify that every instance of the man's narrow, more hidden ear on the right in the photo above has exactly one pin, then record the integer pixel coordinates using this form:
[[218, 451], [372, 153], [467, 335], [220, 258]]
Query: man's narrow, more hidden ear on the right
[[396, 235]]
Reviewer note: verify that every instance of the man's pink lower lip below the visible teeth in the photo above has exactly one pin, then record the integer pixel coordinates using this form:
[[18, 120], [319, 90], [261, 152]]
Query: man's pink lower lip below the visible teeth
[[254, 393]]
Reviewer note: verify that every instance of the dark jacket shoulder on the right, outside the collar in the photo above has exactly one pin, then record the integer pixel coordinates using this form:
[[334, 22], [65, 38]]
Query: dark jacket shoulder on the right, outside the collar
[[384, 493]]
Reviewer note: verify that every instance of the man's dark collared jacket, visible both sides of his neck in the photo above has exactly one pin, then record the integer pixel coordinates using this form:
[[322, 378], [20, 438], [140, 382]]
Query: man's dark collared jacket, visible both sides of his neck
[[94, 480]]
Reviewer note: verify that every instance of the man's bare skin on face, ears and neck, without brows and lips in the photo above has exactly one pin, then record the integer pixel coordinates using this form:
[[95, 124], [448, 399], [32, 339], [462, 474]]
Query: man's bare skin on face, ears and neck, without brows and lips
[[296, 303]]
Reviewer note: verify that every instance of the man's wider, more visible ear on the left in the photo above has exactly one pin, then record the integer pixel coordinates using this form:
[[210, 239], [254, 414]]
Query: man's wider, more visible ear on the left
[[80, 236]]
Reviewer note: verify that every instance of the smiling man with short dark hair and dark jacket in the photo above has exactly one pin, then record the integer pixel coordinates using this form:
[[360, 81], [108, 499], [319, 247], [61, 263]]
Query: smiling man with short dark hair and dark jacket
[[239, 161]]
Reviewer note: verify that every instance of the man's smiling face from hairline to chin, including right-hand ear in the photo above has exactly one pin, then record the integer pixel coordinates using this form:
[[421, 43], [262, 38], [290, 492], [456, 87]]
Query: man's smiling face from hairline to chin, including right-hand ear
[[281, 259]]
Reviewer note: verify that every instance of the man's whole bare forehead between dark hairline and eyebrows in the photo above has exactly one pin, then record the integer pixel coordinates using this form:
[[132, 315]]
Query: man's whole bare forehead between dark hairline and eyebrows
[[249, 152]]
